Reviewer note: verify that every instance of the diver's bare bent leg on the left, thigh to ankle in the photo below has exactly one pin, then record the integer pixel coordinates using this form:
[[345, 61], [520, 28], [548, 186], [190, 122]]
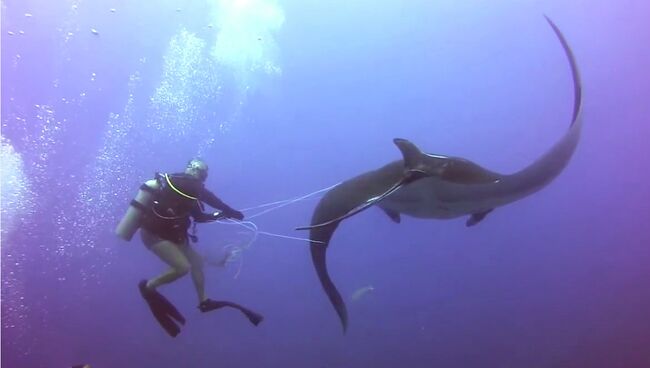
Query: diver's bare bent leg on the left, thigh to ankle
[[170, 253]]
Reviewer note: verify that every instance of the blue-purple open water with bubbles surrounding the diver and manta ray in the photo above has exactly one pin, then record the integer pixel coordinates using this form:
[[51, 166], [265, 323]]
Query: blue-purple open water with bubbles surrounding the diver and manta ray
[[284, 98]]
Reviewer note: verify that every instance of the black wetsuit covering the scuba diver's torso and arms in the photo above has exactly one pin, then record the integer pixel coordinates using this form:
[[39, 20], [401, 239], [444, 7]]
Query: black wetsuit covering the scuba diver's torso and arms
[[169, 217]]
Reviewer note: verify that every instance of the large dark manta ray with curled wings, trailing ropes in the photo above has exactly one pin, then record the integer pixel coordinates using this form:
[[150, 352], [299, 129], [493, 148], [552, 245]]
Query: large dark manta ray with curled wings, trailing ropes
[[432, 186]]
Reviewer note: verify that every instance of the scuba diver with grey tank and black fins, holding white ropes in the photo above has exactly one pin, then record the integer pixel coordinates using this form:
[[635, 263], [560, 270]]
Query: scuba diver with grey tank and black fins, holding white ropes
[[163, 210]]
